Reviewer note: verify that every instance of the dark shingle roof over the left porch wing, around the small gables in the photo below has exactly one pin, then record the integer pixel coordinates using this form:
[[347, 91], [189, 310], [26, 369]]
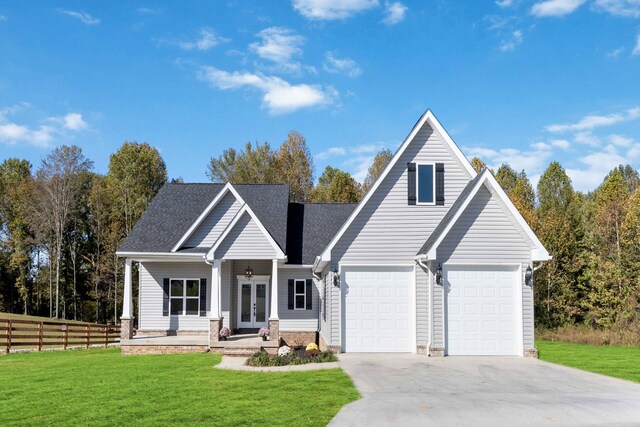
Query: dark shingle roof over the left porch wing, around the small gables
[[177, 206]]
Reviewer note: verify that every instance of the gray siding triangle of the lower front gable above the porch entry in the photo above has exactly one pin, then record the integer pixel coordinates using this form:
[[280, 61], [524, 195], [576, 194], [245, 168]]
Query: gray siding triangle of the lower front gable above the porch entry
[[245, 241]]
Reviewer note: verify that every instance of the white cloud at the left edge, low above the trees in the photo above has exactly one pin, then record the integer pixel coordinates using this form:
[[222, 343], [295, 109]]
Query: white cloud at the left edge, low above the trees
[[12, 133]]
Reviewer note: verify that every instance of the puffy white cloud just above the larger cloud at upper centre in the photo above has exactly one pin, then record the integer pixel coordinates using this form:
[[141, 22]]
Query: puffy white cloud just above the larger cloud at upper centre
[[279, 45]]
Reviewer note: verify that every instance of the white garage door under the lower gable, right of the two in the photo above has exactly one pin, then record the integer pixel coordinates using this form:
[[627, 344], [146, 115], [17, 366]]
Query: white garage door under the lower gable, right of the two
[[482, 311]]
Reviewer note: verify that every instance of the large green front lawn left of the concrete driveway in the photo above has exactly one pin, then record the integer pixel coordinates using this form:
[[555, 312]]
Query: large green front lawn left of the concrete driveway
[[102, 387]]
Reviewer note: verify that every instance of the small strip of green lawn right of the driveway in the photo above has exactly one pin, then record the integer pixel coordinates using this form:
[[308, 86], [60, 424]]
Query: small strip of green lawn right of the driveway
[[615, 361]]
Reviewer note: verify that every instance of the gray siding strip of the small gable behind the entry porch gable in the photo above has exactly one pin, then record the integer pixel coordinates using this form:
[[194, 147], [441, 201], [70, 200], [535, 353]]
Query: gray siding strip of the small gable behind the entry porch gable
[[206, 234]]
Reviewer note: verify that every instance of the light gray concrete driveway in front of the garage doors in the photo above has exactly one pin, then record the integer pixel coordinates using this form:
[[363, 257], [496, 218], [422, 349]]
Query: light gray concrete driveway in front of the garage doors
[[412, 390]]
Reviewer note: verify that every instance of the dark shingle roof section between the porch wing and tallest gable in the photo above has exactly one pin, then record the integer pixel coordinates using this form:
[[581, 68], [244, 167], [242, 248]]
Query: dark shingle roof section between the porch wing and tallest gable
[[310, 228]]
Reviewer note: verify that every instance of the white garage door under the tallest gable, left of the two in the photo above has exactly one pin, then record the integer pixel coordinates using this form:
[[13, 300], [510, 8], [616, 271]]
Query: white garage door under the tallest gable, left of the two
[[377, 309]]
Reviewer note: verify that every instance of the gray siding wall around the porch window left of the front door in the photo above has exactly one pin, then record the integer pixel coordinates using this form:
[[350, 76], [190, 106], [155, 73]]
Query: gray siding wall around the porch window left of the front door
[[152, 275]]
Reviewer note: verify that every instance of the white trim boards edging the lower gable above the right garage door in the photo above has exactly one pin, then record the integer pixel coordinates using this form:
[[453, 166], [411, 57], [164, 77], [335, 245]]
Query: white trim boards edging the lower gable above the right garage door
[[538, 253]]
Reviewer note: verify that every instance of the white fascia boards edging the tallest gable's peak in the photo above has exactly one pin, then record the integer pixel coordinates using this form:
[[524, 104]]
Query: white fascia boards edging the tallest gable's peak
[[427, 117]]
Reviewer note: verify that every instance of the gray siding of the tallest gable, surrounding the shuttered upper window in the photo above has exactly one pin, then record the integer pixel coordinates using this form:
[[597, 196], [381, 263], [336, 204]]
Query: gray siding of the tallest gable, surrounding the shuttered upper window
[[387, 229]]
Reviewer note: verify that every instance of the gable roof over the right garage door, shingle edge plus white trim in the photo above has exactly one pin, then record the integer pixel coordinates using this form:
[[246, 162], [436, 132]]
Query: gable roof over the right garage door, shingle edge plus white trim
[[428, 250]]
